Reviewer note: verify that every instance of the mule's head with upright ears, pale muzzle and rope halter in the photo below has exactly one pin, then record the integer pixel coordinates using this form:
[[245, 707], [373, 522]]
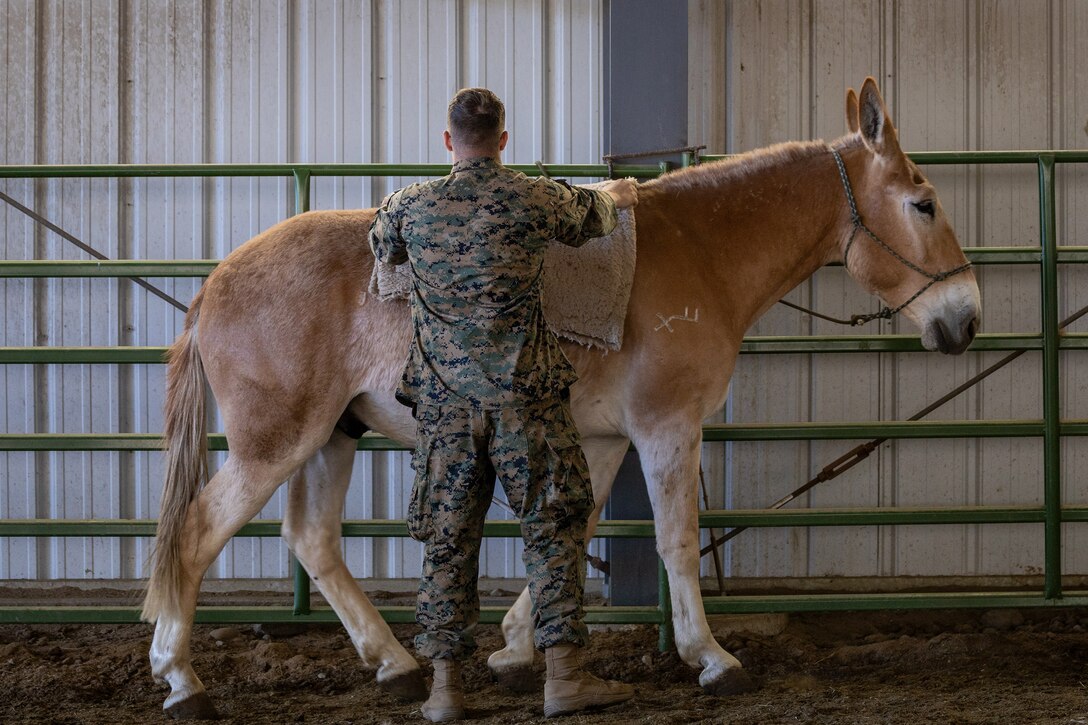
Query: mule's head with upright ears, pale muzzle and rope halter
[[901, 208]]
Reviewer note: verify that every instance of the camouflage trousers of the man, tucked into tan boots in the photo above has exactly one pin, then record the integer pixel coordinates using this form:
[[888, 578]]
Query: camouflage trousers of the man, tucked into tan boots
[[535, 453]]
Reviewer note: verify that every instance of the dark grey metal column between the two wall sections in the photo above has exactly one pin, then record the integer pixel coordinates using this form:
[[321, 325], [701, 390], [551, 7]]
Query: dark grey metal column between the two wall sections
[[646, 109]]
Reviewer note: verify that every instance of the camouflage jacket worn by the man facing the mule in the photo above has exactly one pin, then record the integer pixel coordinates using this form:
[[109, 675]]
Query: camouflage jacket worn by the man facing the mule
[[476, 243]]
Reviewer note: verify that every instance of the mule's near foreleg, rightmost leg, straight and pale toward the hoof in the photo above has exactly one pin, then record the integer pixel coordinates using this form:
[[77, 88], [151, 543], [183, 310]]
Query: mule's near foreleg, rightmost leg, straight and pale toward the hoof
[[671, 464]]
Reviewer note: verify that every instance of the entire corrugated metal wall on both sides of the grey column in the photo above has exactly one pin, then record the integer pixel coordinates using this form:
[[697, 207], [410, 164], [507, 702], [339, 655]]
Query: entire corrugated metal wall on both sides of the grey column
[[152, 81]]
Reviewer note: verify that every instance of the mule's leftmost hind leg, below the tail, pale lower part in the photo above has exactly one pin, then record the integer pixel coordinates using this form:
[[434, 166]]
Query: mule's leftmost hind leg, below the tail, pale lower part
[[233, 497]]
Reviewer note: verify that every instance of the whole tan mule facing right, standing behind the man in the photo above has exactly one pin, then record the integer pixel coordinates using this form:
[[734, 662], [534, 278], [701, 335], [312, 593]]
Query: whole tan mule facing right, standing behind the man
[[288, 338]]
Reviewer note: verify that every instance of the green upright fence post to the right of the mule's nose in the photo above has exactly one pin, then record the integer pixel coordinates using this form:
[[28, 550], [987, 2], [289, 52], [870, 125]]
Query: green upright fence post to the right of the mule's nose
[[1052, 412]]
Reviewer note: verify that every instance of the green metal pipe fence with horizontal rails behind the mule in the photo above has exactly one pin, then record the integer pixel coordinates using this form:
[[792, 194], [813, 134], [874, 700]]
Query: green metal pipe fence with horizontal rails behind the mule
[[1050, 428]]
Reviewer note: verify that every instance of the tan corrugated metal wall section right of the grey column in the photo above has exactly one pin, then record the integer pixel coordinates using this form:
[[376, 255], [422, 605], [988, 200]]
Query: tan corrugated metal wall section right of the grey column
[[957, 76]]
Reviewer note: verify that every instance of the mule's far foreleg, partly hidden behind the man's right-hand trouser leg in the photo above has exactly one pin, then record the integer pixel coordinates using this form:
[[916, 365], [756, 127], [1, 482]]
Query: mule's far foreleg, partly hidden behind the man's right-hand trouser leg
[[513, 666]]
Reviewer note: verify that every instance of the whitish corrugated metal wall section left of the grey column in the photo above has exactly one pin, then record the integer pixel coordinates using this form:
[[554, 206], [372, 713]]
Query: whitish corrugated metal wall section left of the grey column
[[159, 82]]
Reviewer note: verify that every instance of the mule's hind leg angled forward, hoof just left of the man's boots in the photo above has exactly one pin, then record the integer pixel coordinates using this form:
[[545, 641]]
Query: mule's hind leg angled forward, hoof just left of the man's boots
[[313, 531]]
